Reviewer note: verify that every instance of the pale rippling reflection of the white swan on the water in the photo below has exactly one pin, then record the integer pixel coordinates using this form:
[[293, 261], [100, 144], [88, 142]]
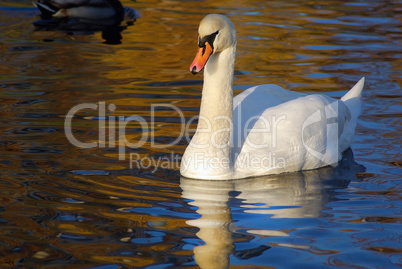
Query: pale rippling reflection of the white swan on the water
[[292, 195]]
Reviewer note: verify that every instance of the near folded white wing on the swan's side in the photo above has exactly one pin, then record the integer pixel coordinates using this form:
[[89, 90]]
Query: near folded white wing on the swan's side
[[302, 133]]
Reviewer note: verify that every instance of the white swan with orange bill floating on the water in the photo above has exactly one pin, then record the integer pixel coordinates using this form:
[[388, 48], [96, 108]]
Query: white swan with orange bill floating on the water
[[265, 129]]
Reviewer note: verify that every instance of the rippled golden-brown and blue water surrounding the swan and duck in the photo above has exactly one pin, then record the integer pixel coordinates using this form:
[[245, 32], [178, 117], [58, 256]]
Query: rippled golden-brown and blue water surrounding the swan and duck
[[63, 206]]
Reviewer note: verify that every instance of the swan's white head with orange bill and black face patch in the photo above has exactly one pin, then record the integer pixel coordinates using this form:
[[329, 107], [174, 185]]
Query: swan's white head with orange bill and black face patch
[[216, 33]]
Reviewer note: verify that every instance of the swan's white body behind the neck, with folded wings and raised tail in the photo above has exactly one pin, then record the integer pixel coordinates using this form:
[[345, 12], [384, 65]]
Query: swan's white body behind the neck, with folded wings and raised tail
[[276, 131]]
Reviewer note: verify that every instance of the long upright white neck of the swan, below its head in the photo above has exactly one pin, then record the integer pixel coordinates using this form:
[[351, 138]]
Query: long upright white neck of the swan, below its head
[[215, 124]]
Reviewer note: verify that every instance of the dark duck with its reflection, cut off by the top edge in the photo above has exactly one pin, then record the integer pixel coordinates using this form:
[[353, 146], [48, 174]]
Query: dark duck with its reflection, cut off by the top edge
[[86, 17]]
